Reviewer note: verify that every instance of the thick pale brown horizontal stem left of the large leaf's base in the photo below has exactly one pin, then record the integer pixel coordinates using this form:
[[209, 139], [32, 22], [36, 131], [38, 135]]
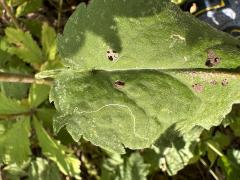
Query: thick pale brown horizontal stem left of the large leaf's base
[[20, 78]]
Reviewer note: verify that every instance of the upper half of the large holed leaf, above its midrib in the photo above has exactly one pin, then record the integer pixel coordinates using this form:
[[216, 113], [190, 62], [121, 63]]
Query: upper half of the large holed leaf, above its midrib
[[145, 34]]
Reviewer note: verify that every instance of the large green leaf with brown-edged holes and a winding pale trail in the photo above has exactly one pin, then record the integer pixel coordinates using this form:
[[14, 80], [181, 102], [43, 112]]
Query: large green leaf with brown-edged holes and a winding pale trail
[[137, 68]]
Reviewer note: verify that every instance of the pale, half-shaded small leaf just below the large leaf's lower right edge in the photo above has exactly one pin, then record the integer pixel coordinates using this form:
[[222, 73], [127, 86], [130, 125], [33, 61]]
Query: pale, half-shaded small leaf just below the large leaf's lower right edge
[[175, 151]]
